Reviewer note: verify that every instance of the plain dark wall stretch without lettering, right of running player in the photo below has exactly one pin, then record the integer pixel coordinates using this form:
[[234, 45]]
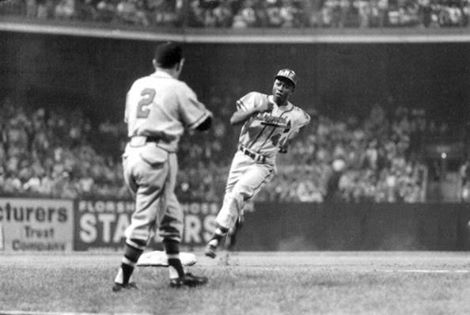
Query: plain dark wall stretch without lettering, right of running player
[[356, 227]]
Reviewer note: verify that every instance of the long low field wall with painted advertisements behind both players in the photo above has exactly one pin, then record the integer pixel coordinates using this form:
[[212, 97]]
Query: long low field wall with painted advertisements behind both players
[[99, 225]]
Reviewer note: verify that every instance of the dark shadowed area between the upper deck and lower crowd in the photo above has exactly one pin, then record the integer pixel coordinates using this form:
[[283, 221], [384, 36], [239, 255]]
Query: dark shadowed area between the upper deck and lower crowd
[[337, 79]]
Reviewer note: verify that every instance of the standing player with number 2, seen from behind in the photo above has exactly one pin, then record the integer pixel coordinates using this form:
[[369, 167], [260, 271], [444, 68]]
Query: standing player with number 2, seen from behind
[[158, 109]]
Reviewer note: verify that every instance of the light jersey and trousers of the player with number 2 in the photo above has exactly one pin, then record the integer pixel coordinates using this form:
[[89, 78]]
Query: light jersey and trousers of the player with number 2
[[158, 109]]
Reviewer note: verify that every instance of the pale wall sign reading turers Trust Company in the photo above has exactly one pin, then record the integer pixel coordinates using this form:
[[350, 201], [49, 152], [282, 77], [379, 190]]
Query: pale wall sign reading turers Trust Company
[[36, 224]]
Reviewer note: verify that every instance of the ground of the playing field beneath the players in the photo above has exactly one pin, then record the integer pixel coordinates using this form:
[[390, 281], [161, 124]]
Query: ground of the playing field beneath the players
[[248, 283]]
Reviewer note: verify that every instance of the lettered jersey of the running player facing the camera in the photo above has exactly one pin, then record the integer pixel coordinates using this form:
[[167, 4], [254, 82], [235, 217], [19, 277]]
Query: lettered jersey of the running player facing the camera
[[264, 133]]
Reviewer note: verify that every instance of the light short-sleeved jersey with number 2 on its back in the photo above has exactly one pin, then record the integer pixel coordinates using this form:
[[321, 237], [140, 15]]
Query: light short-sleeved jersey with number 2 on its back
[[161, 106]]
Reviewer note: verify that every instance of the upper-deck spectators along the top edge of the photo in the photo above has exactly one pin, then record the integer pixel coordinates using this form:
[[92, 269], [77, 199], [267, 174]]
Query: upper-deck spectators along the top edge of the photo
[[239, 14]]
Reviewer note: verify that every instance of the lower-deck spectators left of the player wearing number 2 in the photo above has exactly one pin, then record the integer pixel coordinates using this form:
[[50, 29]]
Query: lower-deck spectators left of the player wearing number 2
[[49, 153]]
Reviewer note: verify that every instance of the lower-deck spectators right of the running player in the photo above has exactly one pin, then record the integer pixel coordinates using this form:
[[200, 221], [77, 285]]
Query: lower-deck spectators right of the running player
[[356, 161]]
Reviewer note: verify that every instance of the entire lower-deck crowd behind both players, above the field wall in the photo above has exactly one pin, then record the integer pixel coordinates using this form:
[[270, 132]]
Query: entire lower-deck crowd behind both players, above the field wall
[[59, 153]]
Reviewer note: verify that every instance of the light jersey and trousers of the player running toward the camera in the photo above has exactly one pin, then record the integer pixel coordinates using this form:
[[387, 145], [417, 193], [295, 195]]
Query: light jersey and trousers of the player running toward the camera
[[254, 162]]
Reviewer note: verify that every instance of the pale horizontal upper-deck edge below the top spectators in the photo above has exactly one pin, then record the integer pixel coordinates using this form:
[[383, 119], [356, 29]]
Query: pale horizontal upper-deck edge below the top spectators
[[197, 35]]
